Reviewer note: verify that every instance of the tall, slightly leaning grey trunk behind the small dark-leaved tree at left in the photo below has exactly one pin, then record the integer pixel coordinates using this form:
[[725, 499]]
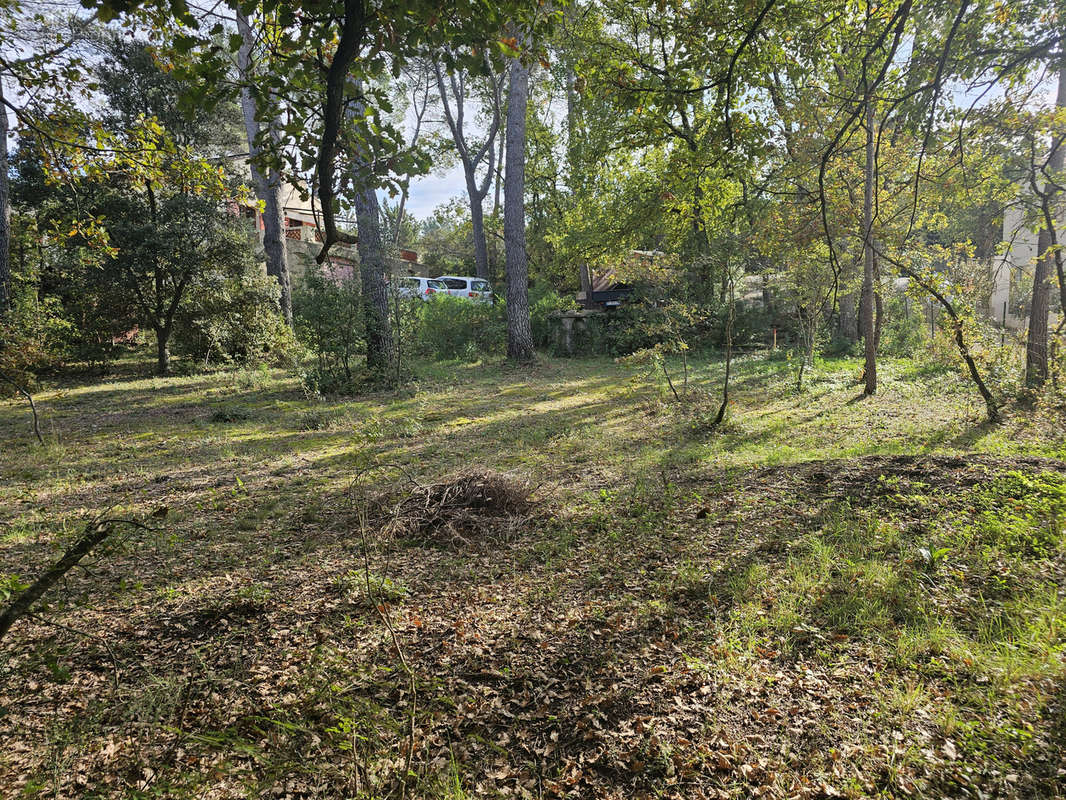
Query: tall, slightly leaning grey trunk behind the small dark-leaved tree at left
[[268, 187]]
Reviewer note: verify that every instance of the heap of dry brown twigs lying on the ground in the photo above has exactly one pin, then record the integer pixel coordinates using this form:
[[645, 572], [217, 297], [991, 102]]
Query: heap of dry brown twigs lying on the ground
[[471, 506]]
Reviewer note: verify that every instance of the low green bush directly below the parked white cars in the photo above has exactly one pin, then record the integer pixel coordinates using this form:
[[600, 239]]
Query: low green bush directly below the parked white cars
[[453, 328]]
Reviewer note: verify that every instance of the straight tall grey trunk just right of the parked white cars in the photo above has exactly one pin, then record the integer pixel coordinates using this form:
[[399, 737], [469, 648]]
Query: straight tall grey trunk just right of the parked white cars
[[520, 332]]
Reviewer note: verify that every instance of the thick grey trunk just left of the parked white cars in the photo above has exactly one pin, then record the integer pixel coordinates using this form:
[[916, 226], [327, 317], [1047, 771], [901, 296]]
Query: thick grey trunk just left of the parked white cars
[[376, 298]]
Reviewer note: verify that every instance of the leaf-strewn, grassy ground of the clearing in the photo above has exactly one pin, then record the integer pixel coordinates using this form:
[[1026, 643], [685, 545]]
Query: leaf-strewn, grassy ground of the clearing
[[827, 597]]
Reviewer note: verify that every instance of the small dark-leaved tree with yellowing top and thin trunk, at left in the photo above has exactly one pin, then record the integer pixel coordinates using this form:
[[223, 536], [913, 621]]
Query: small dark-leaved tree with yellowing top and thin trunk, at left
[[148, 203]]
